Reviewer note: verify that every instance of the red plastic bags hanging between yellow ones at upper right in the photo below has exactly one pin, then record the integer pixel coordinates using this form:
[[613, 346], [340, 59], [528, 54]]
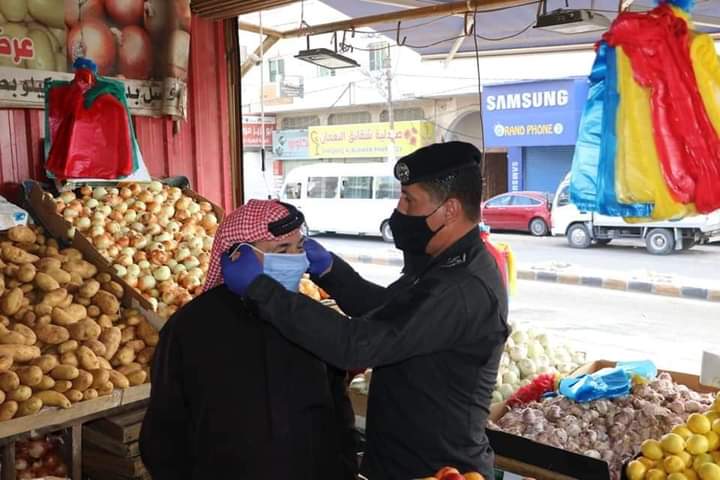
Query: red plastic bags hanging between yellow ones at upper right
[[657, 44]]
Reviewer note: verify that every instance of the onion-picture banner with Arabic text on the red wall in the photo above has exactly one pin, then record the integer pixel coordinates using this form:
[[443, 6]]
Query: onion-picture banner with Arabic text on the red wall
[[144, 43]]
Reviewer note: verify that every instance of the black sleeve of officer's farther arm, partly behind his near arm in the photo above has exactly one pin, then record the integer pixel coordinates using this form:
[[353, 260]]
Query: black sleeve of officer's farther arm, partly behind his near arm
[[355, 295]]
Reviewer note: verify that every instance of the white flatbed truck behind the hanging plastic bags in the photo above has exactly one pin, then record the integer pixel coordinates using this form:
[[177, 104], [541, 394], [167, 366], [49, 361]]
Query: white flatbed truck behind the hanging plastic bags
[[661, 238]]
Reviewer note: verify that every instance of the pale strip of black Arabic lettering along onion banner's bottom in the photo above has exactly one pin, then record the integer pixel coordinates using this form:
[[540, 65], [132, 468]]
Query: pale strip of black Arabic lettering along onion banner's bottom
[[25, 89]]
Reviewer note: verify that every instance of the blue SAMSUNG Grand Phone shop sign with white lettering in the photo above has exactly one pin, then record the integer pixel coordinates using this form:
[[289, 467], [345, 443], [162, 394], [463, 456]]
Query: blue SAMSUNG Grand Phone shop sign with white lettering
[[534, 113]]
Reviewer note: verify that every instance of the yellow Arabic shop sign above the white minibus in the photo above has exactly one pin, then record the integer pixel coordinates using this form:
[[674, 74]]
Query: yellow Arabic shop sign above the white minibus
[[369, 140]]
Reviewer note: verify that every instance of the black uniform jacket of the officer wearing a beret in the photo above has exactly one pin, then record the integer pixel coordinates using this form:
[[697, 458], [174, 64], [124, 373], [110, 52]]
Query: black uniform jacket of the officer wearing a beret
[[434, 339]]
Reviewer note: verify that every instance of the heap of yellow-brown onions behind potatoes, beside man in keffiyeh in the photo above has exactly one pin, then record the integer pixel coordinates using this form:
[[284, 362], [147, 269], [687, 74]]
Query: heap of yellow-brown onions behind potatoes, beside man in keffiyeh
[[157, 238]]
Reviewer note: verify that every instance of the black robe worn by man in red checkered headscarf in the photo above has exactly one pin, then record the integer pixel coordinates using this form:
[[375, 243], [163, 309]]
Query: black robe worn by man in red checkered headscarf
[[232, 398]]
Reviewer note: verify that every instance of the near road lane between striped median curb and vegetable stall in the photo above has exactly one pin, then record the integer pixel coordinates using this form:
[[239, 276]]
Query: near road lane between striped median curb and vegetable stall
[[609, 324]]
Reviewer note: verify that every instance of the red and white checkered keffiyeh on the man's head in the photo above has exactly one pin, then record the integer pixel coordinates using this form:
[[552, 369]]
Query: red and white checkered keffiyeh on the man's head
[[247, 224]]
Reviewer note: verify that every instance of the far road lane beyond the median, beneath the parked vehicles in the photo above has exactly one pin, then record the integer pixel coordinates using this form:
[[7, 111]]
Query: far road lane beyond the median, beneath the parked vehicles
[[701, 262]]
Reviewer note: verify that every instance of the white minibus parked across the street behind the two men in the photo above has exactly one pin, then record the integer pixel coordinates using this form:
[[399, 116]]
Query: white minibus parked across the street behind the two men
[[349, 198]]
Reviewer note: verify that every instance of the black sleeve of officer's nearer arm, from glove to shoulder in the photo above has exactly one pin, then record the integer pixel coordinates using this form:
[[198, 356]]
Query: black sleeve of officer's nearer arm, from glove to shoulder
[[424, 319]]
